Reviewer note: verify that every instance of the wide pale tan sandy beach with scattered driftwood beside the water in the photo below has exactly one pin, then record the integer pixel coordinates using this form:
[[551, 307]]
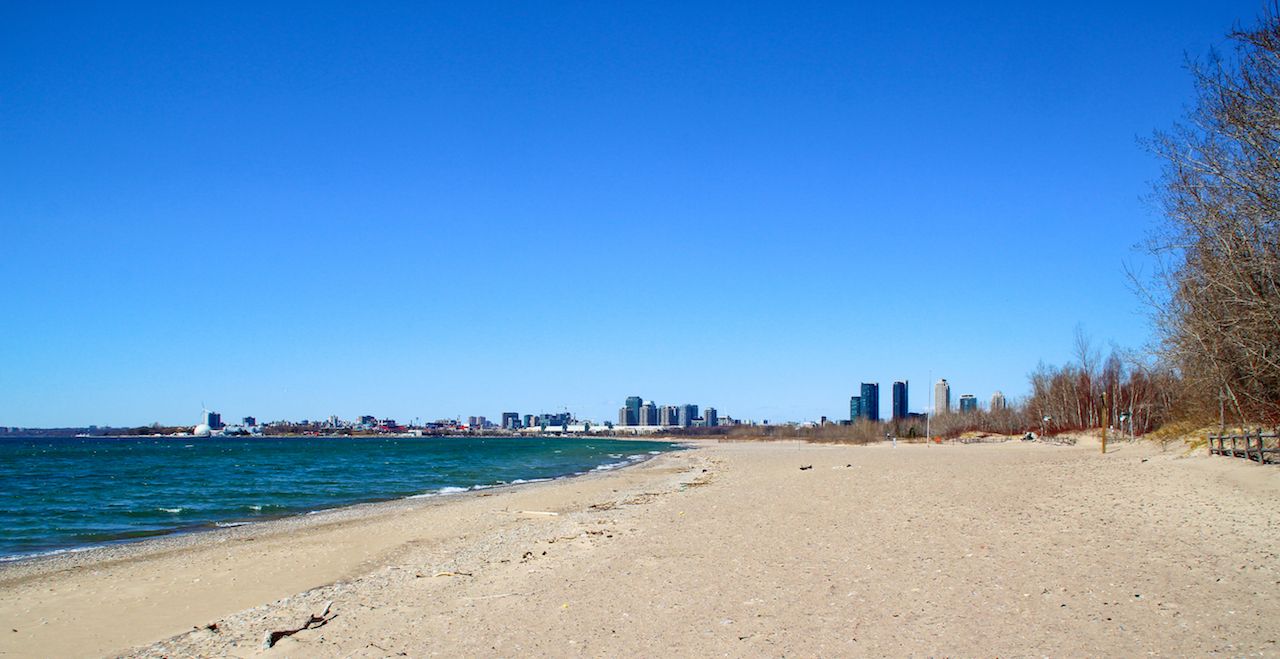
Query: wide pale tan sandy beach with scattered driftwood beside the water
[[988, 550]]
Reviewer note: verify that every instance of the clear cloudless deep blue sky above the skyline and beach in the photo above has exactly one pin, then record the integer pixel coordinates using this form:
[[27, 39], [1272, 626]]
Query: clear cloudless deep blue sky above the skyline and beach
[[423, 210]]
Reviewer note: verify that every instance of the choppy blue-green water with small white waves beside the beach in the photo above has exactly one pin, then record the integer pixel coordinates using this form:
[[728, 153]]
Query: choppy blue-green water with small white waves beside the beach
[[63, 493]]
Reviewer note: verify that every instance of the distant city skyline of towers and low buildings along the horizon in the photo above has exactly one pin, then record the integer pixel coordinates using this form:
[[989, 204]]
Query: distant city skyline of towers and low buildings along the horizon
[[636, 417]]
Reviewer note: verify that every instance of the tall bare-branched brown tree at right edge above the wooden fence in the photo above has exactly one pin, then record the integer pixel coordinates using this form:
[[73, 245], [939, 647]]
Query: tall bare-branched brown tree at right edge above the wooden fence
[[1219, 282]]
